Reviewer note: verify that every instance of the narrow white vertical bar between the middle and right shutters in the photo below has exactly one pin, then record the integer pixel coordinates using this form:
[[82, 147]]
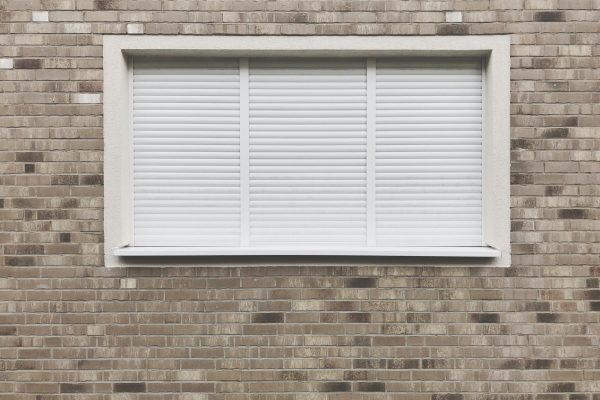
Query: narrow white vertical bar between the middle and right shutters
[[371, 128]]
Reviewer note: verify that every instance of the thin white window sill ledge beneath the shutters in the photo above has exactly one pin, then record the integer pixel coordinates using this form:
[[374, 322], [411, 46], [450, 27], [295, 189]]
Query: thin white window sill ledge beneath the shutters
[[475, 252]]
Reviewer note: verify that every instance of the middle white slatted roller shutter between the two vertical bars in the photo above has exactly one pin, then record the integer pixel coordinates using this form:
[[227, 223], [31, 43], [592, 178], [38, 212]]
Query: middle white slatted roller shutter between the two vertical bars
[[307, 152]]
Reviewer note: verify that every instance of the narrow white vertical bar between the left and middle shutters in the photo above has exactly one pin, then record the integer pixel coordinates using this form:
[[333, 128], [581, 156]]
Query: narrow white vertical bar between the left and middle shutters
[[244, 155]]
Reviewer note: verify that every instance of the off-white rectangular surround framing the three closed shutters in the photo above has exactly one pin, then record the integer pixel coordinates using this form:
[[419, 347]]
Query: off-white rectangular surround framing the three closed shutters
[[493, 49]]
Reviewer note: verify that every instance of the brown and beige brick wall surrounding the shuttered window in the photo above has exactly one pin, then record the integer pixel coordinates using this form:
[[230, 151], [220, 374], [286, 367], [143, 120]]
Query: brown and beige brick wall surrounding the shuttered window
[[70, 328]]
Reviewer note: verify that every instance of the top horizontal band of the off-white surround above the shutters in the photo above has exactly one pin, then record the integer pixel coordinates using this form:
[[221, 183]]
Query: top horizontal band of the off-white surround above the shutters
[[303, 46]]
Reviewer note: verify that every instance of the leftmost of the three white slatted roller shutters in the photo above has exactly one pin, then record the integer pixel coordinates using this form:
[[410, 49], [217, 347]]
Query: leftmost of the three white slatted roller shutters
[[186, 160]]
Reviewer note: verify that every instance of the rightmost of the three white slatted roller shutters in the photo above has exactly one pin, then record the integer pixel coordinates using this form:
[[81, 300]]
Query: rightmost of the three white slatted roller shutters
[[428, 153]]
